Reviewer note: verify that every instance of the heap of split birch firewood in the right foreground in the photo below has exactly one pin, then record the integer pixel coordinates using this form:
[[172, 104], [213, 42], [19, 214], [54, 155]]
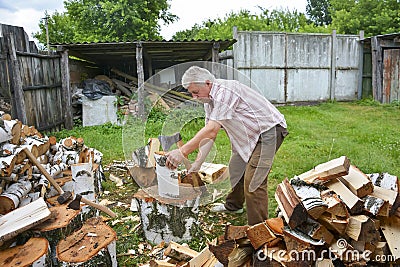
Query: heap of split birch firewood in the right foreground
[[332, 215]]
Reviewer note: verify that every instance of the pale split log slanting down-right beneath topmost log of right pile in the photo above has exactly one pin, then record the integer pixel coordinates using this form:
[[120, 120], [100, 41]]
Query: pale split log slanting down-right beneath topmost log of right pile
[[353, 203]]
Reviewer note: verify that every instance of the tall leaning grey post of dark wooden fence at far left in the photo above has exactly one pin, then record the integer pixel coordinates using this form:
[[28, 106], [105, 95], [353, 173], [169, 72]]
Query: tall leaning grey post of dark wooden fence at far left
[[16, 81]]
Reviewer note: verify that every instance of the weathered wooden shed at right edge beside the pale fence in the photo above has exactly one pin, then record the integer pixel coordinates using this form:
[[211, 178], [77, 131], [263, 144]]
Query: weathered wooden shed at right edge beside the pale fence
[[381, 70]]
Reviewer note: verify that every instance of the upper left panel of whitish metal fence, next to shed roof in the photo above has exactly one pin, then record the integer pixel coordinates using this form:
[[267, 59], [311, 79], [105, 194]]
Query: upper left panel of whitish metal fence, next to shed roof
[[259, 49]]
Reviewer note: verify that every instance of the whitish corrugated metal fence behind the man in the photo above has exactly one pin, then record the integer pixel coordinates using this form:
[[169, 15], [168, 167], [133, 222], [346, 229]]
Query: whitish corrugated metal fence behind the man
[[291, 67]]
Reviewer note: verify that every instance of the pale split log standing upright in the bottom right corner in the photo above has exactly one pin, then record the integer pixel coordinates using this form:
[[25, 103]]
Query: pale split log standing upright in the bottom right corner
[[390, 227]]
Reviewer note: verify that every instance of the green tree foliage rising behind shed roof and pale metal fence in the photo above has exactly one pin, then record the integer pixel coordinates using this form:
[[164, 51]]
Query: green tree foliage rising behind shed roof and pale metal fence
[[275, 20]]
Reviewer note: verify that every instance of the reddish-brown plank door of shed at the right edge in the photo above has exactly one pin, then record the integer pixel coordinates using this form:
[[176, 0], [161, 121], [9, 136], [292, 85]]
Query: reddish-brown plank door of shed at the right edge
[[391, 75]]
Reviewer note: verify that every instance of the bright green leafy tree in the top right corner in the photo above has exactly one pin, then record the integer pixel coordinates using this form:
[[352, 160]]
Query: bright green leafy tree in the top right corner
[[373, 16]]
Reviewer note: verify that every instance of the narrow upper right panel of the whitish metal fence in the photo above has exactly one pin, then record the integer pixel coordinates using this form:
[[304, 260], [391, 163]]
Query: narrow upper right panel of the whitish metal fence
[[348, 52]]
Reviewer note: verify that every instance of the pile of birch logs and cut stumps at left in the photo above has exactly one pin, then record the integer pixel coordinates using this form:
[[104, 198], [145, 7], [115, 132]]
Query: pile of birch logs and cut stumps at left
[[35, 230]]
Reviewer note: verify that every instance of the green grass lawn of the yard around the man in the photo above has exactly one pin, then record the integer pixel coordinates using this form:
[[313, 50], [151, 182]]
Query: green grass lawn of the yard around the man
[[366, 132]]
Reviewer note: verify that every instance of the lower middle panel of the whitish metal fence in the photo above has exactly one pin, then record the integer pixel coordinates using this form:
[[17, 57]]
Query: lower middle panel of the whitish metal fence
[[308, 85]]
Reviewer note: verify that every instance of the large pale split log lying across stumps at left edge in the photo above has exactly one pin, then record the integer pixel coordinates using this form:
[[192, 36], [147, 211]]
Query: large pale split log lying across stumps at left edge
[[22, 219]]
